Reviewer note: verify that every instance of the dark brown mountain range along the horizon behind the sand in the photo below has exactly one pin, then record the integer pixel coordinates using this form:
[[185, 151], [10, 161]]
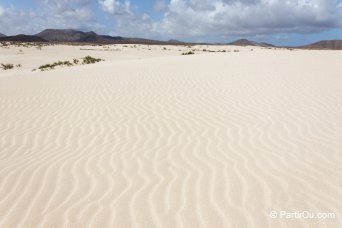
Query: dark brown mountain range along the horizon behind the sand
[[74, 36]]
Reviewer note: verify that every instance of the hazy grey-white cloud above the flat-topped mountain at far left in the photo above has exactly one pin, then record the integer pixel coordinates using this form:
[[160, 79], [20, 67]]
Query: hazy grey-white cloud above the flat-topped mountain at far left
[[75, 14]]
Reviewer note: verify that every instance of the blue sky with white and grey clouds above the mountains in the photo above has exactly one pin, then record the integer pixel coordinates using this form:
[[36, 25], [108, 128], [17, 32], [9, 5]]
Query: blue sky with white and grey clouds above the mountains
[[280, 22]]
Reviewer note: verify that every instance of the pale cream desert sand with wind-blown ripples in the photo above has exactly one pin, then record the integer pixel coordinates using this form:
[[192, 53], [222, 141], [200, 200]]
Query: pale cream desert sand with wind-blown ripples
[[152, 138]]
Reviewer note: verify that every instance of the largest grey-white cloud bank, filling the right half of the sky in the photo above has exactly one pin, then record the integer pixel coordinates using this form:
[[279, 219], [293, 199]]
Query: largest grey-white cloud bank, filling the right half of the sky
[[244, 17]]
